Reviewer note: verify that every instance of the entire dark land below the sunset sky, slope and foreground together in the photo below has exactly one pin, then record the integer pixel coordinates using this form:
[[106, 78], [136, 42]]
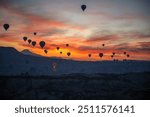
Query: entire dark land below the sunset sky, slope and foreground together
[[33, 77]]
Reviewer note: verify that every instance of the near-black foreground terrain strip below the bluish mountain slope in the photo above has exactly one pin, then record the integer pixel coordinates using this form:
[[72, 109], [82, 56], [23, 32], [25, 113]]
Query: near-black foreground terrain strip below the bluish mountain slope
[[77, 86]]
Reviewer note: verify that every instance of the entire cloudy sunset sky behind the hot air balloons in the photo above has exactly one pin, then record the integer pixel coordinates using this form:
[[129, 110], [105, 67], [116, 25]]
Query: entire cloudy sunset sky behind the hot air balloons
[[122, 25]]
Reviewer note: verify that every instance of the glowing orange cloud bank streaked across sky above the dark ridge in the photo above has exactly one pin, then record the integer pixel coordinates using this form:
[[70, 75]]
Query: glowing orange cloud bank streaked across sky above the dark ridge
[[78, 46]]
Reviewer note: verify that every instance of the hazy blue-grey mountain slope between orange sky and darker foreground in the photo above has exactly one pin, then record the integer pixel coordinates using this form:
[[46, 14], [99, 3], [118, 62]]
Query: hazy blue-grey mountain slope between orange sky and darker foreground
[[13, 62]]
